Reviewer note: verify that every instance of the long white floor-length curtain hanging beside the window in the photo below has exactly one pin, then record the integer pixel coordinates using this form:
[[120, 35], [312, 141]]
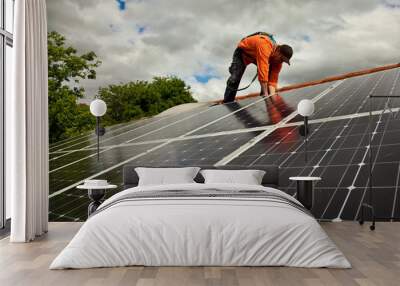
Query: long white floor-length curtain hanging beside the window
[[27, 124]]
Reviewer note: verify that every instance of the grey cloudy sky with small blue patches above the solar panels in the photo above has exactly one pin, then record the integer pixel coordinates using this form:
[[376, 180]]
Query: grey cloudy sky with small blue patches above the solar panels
[[194, 40]]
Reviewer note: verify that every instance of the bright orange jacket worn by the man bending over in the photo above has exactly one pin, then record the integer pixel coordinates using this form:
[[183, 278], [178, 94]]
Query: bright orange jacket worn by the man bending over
[[257, 49]]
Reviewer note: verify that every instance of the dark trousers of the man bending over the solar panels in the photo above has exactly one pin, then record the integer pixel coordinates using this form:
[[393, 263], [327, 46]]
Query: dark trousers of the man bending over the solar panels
[[236, 70]]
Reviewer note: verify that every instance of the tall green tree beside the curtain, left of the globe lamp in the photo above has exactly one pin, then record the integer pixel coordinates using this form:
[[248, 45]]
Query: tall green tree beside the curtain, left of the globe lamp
[[66, 69]]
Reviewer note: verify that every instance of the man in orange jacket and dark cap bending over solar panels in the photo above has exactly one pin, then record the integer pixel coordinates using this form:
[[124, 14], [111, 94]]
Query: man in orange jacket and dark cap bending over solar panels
[[260, 49]]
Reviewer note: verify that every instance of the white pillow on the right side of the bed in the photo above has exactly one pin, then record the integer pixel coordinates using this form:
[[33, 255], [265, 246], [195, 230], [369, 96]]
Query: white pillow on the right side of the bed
[[248, 177]]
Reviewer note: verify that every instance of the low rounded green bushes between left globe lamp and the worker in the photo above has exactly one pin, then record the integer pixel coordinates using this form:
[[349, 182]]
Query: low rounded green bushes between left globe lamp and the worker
[[137, 99]]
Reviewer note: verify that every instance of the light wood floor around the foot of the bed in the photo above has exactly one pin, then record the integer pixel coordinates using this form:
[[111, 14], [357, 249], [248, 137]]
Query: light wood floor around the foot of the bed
[[375, 257]]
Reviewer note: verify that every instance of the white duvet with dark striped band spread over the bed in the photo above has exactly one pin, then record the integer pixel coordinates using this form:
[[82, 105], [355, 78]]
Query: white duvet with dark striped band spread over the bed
[[206, 231]]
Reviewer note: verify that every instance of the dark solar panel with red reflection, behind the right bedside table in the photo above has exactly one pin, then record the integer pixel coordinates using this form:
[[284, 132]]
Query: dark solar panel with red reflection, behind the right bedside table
[[337, 155]]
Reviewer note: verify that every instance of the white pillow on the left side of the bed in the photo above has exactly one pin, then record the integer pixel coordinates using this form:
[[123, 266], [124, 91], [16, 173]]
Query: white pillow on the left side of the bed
[[163, 176]]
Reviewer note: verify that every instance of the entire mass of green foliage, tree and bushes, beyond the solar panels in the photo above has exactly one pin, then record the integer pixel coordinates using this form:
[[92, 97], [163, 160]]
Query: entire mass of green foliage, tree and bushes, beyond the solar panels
[[125, 102]]
